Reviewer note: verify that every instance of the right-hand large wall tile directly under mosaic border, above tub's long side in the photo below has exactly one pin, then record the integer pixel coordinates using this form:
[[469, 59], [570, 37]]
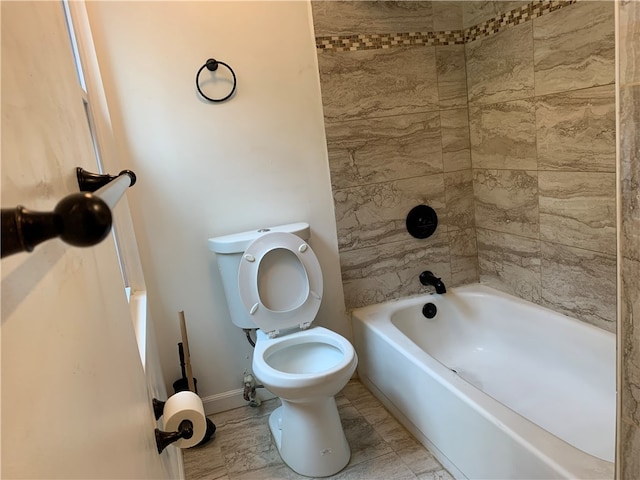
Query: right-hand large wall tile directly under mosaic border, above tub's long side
[[574, 47]]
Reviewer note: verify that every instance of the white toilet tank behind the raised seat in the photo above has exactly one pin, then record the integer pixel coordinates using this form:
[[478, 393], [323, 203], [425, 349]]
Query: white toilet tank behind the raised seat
[[229, 250]]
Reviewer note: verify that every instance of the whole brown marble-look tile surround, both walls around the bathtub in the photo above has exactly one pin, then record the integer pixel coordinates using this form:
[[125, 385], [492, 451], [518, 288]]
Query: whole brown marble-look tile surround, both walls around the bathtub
[[508, 132]]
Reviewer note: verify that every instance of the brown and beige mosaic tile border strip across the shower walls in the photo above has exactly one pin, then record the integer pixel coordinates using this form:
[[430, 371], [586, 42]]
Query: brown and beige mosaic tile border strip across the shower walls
[[352, 43]]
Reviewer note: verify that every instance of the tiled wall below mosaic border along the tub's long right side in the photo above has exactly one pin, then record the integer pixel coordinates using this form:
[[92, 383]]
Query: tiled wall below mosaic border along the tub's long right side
[[542, 122]]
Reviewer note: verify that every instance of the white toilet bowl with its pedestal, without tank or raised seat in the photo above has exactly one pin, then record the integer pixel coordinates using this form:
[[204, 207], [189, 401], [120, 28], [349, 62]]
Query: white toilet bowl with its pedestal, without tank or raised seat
[[306, 370]]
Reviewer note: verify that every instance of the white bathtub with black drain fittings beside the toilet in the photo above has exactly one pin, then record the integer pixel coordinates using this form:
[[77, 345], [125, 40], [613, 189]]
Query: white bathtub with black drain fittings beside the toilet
[[494, 386]]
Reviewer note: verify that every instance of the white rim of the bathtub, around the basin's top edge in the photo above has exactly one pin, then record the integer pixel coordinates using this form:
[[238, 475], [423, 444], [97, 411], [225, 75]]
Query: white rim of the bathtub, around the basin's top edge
[[566, 459]]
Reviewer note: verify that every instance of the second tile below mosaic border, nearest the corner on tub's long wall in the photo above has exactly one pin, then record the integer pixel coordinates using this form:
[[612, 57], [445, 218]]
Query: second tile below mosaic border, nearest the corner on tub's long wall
[[503, 135]]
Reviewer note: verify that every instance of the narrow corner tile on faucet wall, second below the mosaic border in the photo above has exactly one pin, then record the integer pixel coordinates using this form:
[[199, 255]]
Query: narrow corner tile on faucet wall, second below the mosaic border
[[456, 151]]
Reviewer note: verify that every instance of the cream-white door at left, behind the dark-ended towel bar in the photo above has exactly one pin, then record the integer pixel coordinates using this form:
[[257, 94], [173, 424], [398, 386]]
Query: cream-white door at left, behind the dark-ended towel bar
[[74, 400]]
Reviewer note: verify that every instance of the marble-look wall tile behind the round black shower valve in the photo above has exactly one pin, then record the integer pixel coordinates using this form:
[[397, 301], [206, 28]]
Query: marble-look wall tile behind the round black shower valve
[[374, 214]]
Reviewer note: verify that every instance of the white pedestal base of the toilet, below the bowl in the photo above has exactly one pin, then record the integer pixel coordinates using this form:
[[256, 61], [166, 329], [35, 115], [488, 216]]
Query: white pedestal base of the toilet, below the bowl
[[309, 437]]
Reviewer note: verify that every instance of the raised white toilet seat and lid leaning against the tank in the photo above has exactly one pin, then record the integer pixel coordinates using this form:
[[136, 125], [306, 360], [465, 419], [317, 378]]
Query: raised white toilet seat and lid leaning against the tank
[[280, 282]]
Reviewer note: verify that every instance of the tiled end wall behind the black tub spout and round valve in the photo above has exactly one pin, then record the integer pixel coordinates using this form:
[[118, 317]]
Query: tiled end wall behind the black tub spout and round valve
[[397, 133]]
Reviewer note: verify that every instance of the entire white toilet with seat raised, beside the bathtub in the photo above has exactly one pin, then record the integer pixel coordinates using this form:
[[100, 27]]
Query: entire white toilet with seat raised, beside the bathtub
[[273, 281]]
